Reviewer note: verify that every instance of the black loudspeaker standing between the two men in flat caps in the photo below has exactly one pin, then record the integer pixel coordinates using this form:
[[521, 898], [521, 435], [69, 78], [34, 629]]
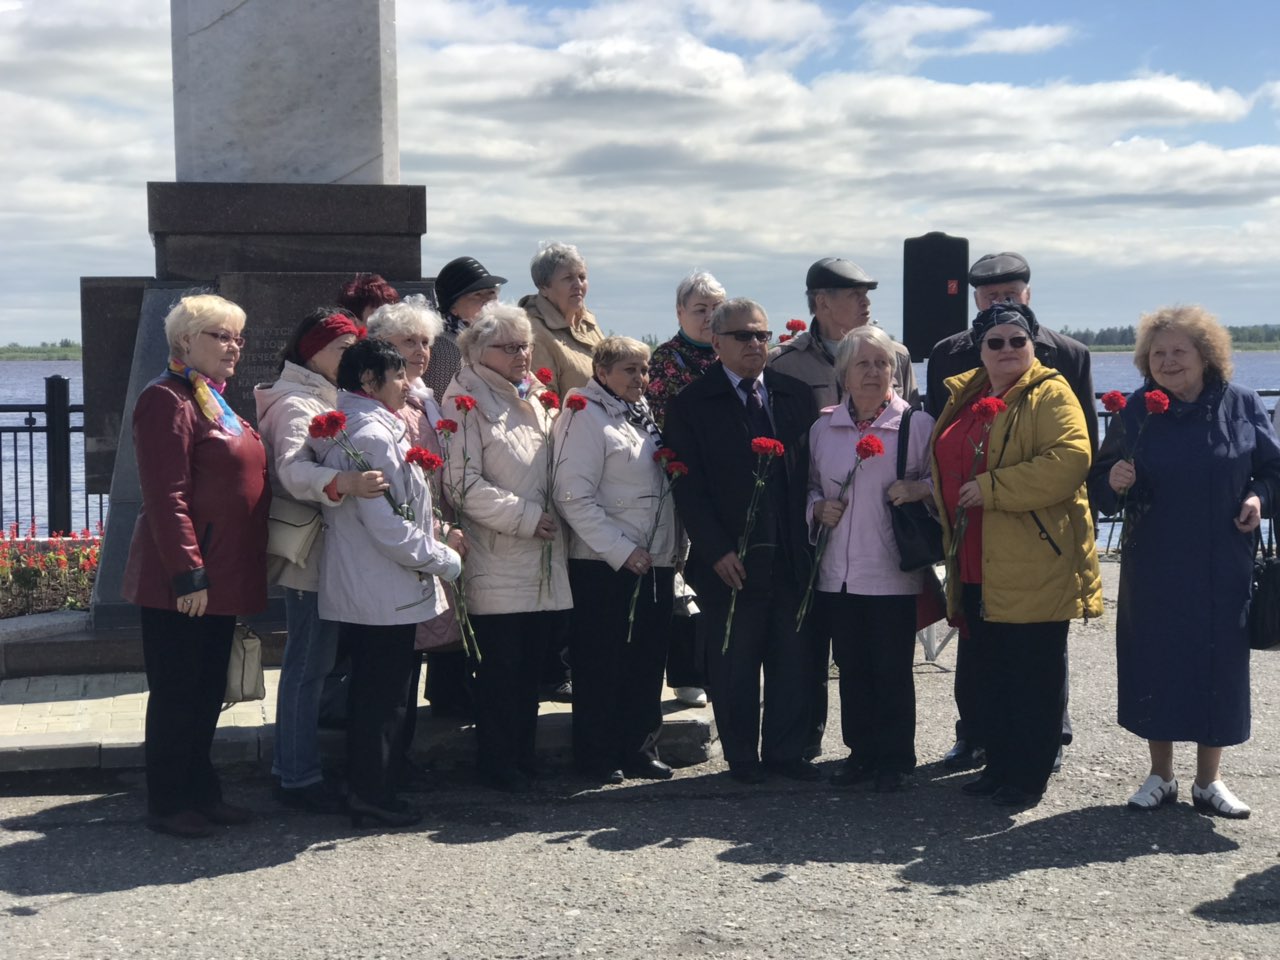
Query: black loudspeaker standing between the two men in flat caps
[[935, 291]]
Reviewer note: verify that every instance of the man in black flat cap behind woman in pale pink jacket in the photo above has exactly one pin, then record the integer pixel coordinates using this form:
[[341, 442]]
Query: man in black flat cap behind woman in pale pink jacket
[[838, 291]]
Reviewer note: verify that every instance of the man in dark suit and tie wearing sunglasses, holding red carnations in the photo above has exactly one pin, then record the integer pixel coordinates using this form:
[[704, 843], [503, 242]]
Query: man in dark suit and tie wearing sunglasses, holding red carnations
[[711, 426]]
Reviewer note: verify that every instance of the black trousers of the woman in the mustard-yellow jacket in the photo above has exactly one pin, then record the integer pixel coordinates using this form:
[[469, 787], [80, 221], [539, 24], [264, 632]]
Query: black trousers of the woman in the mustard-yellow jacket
[[1021, 675]]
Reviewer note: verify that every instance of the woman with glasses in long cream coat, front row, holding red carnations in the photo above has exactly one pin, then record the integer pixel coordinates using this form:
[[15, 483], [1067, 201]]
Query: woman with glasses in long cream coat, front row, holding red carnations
[[497, 481]]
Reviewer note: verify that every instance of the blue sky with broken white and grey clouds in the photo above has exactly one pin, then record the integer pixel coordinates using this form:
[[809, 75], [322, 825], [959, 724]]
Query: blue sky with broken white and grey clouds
[[1127, 149]]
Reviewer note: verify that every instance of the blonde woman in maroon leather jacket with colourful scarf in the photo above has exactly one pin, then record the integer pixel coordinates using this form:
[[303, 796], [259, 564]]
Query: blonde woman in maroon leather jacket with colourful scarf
[[198, 559]]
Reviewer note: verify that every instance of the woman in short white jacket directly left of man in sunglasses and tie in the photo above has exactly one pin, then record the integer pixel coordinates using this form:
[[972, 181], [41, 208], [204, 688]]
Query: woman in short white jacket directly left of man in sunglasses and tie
[[610, 488]]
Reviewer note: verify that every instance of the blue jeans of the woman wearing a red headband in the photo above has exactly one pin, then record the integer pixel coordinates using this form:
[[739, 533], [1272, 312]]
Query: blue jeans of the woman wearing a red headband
[[309, 655]]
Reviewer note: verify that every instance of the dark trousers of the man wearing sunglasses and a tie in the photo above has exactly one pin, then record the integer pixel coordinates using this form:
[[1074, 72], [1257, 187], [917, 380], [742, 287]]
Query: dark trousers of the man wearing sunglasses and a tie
[[765, 637]]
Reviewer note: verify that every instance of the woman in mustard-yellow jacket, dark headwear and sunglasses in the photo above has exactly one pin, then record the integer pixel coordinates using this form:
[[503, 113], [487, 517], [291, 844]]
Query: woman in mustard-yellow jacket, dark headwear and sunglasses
[[1011, 456]]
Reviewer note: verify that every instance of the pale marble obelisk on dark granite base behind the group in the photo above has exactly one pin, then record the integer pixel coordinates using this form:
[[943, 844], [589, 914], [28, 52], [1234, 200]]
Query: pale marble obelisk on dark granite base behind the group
[[287, 185]]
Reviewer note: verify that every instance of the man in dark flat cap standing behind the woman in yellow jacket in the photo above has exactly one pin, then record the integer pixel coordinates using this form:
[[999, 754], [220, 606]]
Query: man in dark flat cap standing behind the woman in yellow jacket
[[1002, 278]]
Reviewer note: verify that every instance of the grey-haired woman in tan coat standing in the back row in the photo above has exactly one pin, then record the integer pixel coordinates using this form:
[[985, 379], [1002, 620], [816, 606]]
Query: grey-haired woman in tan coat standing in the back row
[[565, 331]]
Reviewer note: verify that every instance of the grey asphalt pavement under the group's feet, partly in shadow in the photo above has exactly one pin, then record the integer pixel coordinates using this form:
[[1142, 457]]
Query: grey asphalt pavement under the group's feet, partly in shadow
[[694, 867]]
